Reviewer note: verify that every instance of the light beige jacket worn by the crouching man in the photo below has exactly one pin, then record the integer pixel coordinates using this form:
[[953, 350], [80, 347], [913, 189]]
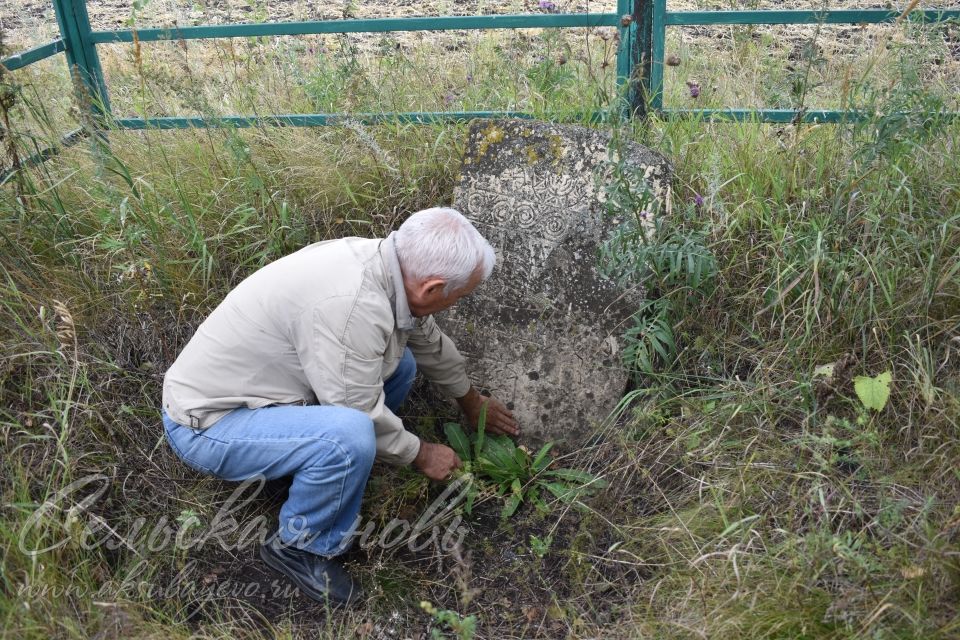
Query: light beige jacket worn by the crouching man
[[327, 324]]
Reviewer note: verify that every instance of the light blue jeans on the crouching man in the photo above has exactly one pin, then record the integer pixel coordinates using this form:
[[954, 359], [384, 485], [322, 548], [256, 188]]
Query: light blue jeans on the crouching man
[[328, 450]]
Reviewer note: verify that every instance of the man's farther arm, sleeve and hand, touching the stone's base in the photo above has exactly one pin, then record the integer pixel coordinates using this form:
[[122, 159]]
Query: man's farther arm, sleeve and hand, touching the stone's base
[[437, 357]]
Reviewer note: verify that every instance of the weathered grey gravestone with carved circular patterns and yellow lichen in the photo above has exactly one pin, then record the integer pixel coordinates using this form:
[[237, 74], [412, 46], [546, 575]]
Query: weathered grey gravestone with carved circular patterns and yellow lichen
[[543, 333]]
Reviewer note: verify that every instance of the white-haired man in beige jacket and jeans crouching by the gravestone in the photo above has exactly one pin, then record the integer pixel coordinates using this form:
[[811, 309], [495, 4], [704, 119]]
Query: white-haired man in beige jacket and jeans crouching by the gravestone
[[301, 369]]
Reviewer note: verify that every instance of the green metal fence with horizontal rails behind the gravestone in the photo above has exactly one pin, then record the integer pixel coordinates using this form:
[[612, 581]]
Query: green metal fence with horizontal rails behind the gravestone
[[642, 27]]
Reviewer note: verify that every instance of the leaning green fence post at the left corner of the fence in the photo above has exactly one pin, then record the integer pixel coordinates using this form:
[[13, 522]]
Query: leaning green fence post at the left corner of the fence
[[82, 55]]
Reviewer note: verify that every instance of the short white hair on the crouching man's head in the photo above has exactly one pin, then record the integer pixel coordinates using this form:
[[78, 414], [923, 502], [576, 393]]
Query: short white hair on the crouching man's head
[[441, 243]]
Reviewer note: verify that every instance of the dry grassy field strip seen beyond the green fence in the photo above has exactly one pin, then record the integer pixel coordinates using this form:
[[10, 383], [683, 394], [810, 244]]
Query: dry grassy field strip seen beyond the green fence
[[560, 72]]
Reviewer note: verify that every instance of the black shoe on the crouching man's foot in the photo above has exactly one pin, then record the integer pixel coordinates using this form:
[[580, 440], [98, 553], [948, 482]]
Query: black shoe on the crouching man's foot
[[317, 577]]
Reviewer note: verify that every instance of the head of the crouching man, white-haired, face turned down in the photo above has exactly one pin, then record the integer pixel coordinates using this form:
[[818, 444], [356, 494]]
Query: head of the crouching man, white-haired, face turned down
[[442, 257]]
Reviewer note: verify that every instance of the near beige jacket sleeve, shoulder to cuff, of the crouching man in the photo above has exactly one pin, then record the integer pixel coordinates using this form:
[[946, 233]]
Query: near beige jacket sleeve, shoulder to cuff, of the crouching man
[[344, 363]]
